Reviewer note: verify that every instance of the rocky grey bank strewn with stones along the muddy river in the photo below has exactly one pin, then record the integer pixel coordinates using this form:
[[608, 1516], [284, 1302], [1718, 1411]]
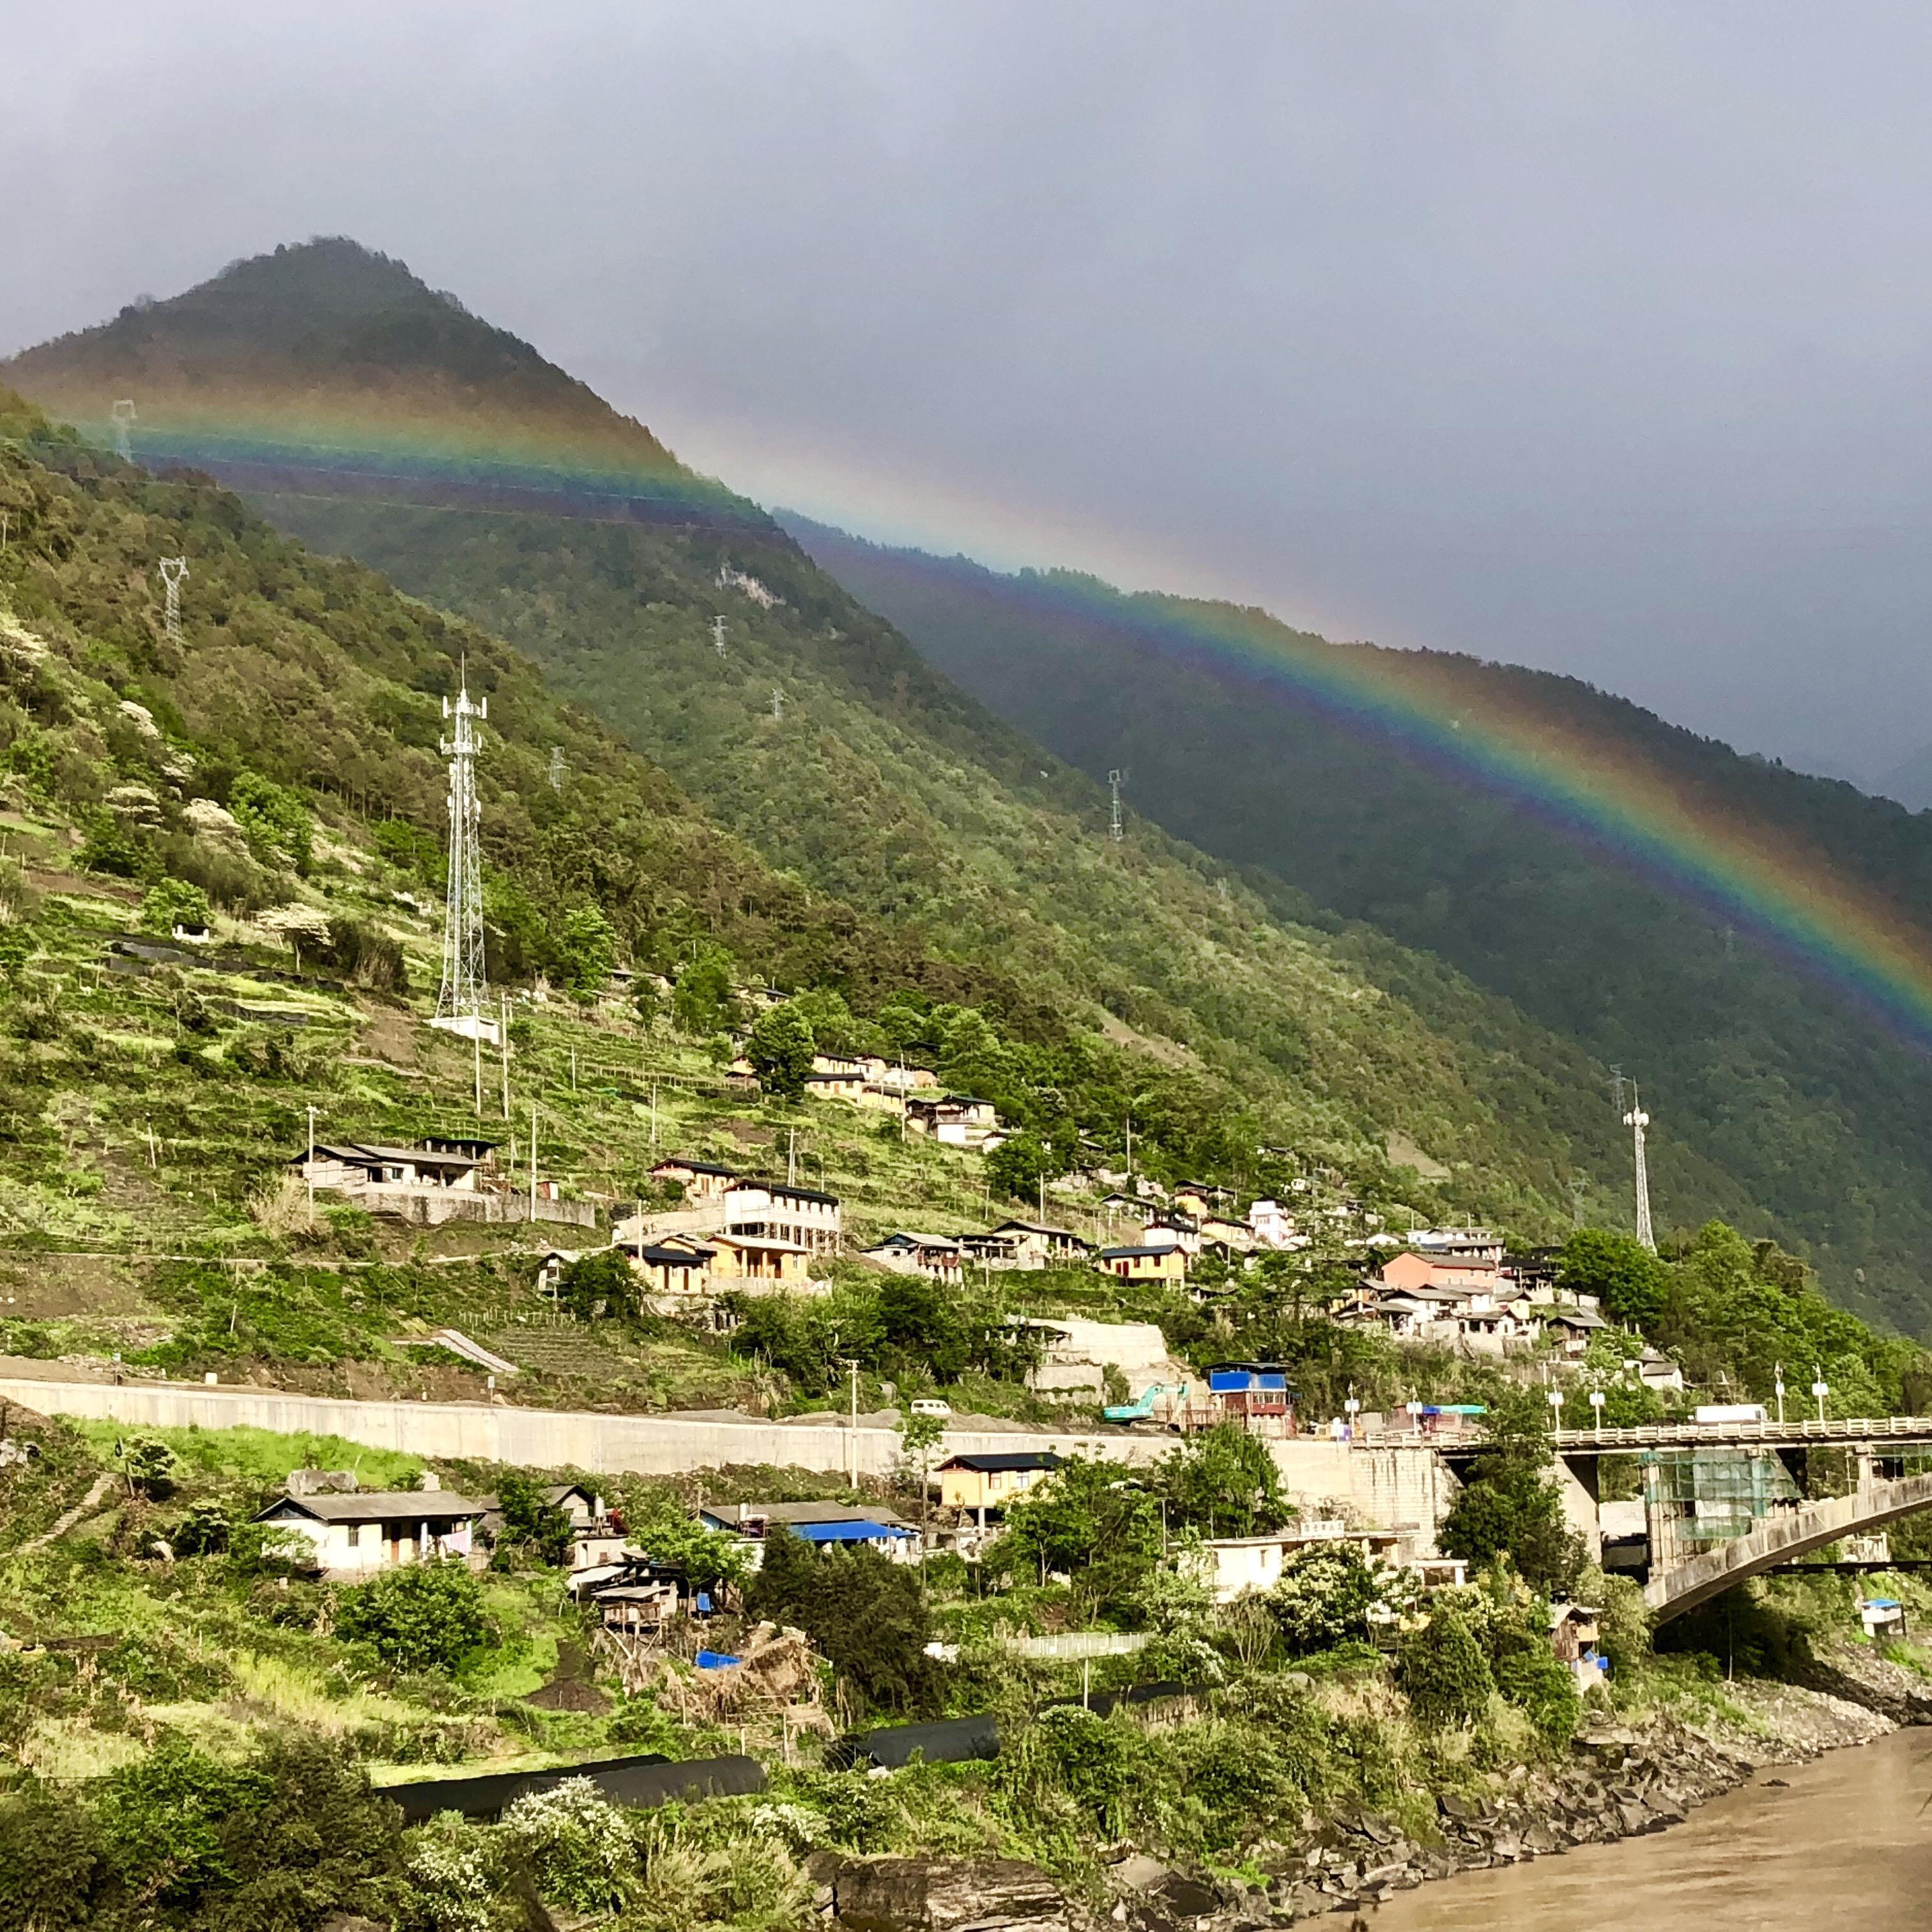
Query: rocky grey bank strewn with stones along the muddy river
[[1618, 1782]]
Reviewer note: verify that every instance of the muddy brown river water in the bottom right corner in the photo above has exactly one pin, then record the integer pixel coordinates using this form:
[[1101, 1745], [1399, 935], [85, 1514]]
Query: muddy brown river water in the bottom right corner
[[1844, 1842]]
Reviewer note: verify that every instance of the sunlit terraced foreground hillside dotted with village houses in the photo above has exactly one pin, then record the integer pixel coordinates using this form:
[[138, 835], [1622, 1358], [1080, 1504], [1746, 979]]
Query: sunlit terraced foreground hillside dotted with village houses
[[899, 1386]]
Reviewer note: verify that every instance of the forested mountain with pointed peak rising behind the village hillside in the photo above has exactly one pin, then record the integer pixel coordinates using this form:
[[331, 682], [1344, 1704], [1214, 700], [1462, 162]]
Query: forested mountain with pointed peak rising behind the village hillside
[[824, 741]]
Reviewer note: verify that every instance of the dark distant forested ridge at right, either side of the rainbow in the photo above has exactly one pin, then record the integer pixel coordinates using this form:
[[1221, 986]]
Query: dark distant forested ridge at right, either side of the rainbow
[[1788, 1087]]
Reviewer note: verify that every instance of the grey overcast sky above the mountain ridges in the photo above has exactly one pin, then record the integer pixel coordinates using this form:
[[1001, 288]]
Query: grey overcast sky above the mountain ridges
[[1591, 337]]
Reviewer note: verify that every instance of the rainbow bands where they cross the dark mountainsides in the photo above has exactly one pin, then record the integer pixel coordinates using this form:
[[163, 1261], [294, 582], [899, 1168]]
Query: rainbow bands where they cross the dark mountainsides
[[1612, 797]]
